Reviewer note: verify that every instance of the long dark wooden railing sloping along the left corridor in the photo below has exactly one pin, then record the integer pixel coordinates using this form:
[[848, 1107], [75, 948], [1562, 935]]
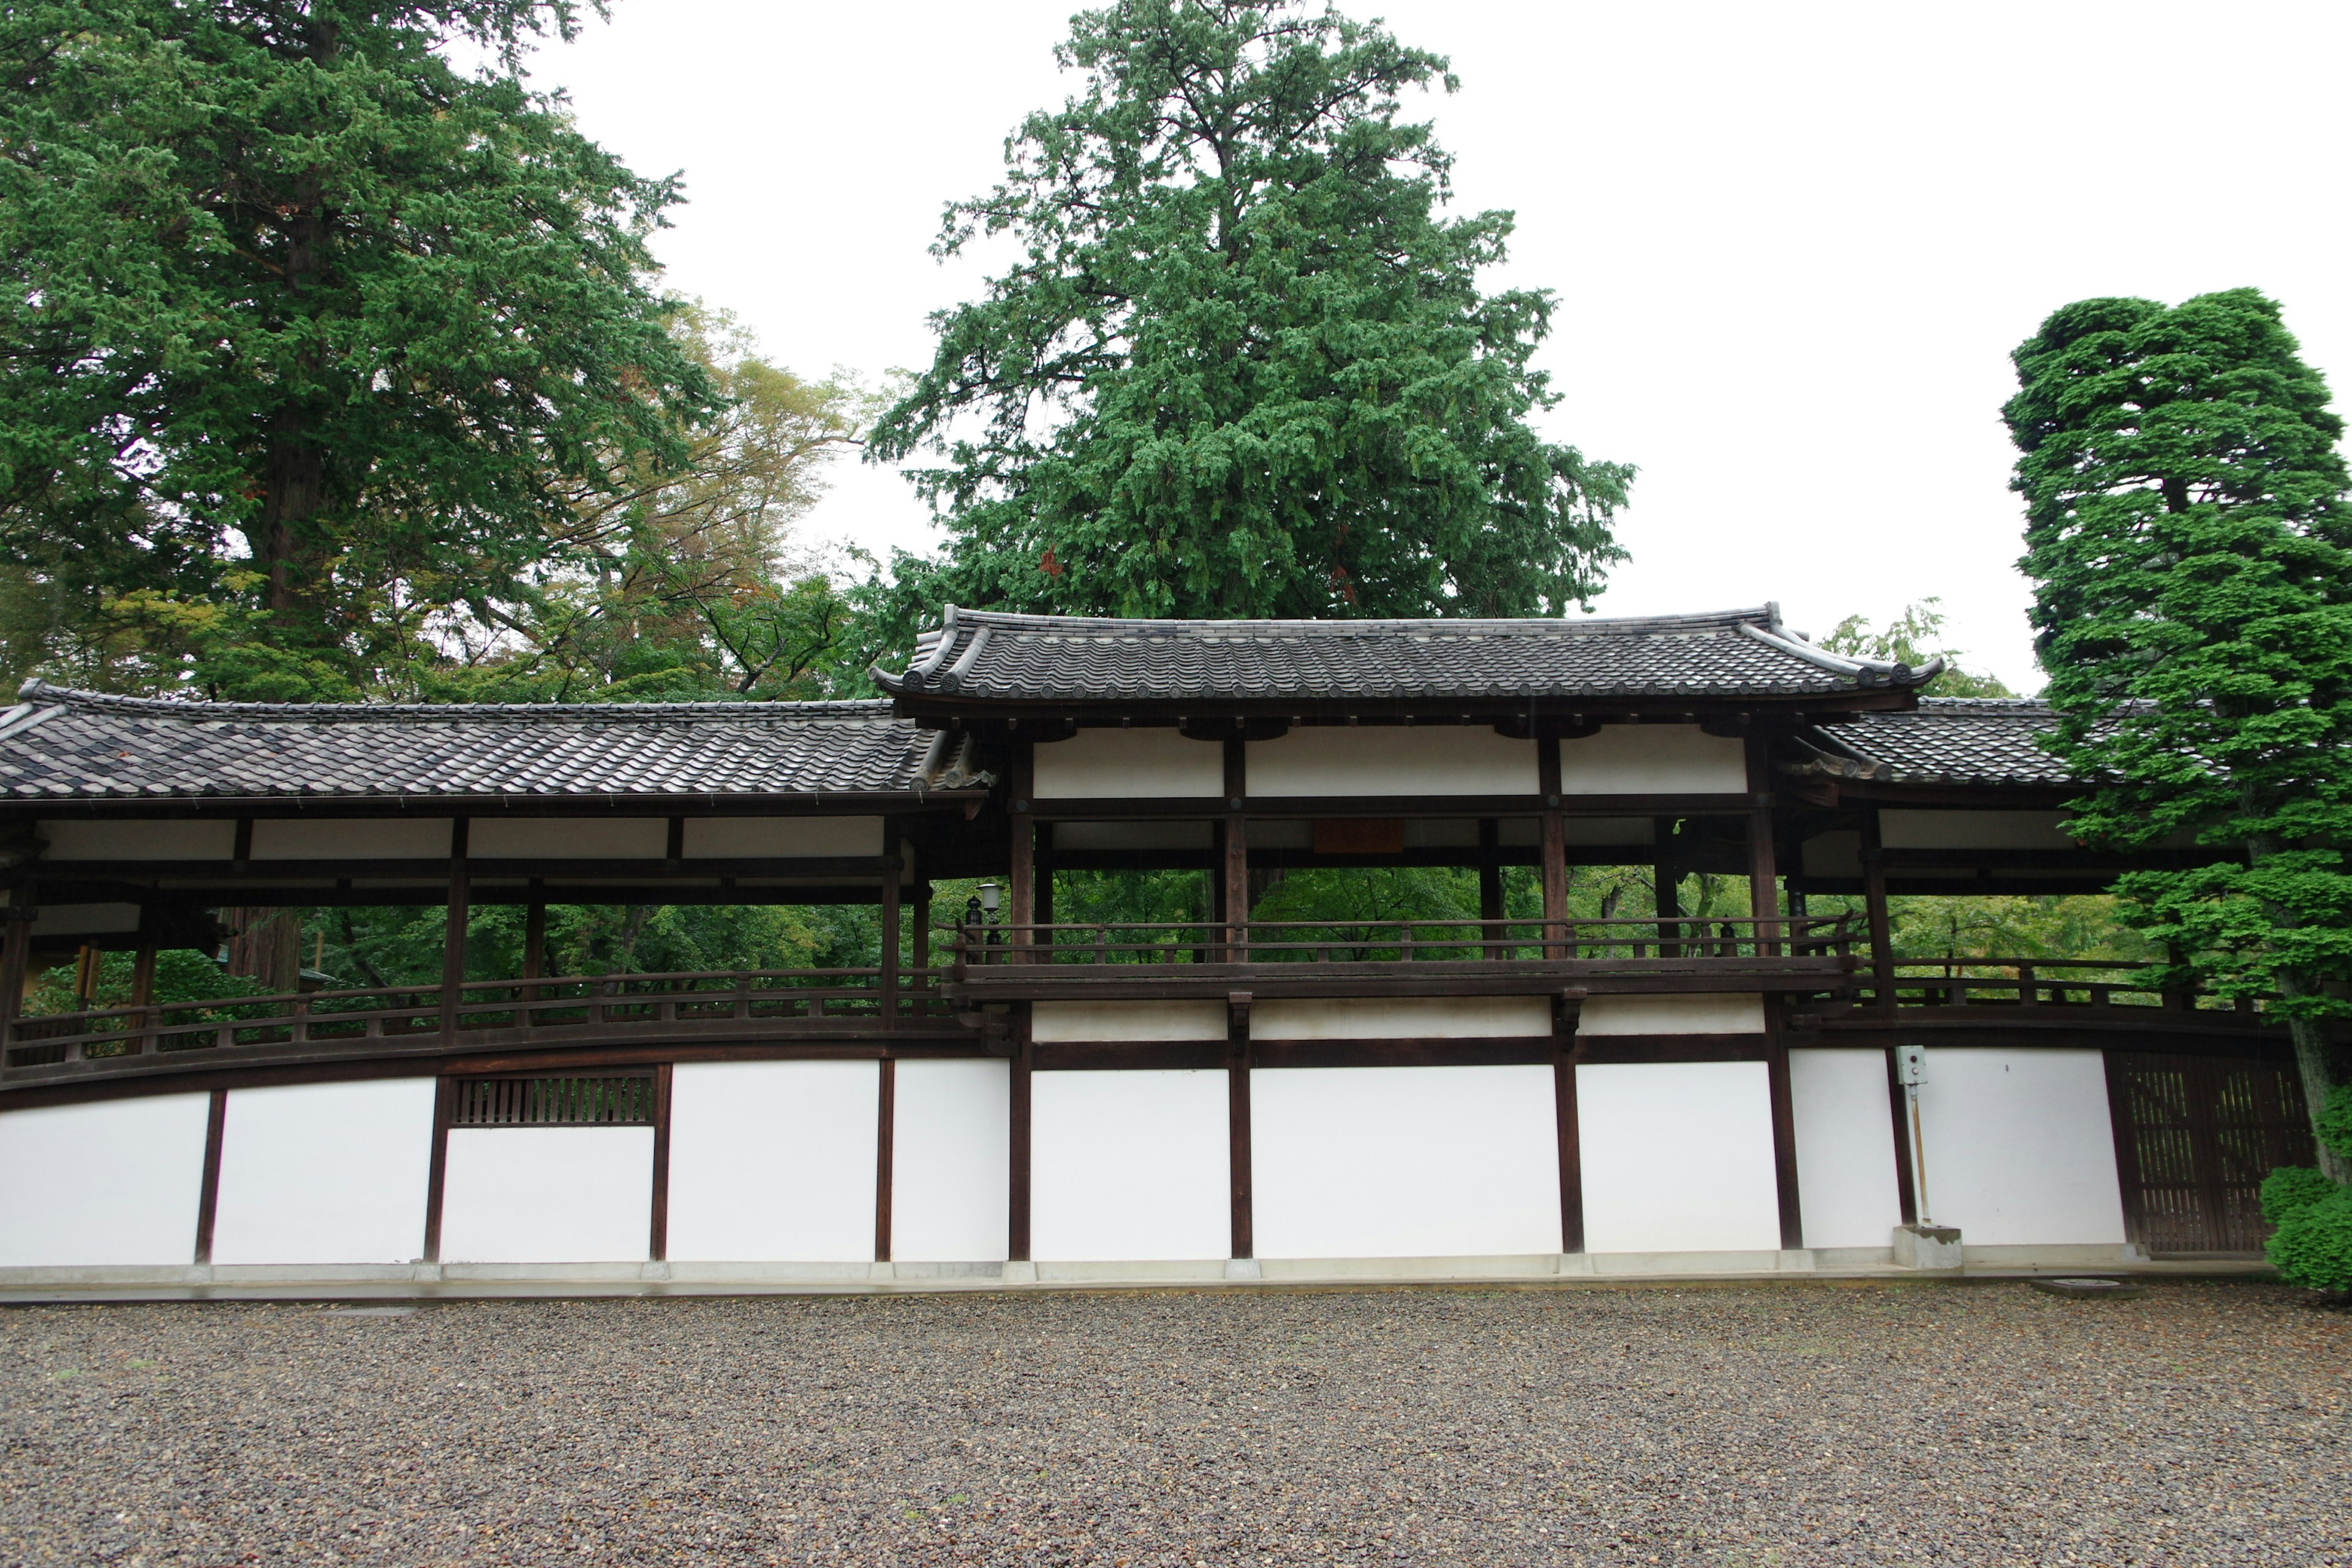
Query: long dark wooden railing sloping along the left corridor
[[577, 1005]]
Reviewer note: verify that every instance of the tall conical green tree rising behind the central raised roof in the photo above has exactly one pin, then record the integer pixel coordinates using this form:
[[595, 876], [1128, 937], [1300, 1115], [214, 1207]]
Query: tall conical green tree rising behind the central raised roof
[[1243, 363]]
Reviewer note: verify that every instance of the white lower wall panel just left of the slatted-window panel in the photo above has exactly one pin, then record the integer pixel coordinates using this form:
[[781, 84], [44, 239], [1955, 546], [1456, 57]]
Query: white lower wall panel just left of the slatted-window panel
[[326, 1174]]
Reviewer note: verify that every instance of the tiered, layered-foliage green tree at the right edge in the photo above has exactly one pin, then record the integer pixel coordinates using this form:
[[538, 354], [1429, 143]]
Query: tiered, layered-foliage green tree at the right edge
[[2191, 547]]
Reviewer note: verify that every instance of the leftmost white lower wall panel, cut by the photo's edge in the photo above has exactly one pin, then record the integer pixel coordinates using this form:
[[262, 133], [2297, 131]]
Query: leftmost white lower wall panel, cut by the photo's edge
[[102, 1184]]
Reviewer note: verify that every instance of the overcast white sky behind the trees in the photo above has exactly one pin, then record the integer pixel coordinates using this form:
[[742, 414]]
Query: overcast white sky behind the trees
[[1793, 246]]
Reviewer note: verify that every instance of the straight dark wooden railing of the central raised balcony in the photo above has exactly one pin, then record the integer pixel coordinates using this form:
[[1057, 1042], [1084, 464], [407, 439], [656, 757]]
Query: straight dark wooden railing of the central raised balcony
[[1401, 942]]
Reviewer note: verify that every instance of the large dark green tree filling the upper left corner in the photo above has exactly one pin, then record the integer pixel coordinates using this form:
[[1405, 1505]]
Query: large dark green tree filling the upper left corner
[[300, 316]]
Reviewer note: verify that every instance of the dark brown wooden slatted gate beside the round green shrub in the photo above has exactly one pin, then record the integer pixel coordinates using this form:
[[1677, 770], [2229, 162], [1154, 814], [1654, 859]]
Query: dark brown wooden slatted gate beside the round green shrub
[[2193, 1141]]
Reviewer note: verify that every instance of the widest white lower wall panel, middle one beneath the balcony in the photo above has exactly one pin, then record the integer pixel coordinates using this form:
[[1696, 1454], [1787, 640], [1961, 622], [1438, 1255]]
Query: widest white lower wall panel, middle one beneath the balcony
[[1405, 1162]]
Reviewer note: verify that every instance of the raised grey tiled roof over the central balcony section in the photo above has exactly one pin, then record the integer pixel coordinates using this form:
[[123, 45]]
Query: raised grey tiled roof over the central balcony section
[[982, 657]]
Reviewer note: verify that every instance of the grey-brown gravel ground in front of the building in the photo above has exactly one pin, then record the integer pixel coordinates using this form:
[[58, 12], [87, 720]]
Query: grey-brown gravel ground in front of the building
[[1636, 1426]]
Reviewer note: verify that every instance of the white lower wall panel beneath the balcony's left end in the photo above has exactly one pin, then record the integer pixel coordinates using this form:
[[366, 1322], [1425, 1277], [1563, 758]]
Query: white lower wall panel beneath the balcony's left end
[[1130, 1167]]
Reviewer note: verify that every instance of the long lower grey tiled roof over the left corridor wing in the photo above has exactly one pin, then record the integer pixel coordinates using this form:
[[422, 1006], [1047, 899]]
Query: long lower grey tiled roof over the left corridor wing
[[83, 746]]
